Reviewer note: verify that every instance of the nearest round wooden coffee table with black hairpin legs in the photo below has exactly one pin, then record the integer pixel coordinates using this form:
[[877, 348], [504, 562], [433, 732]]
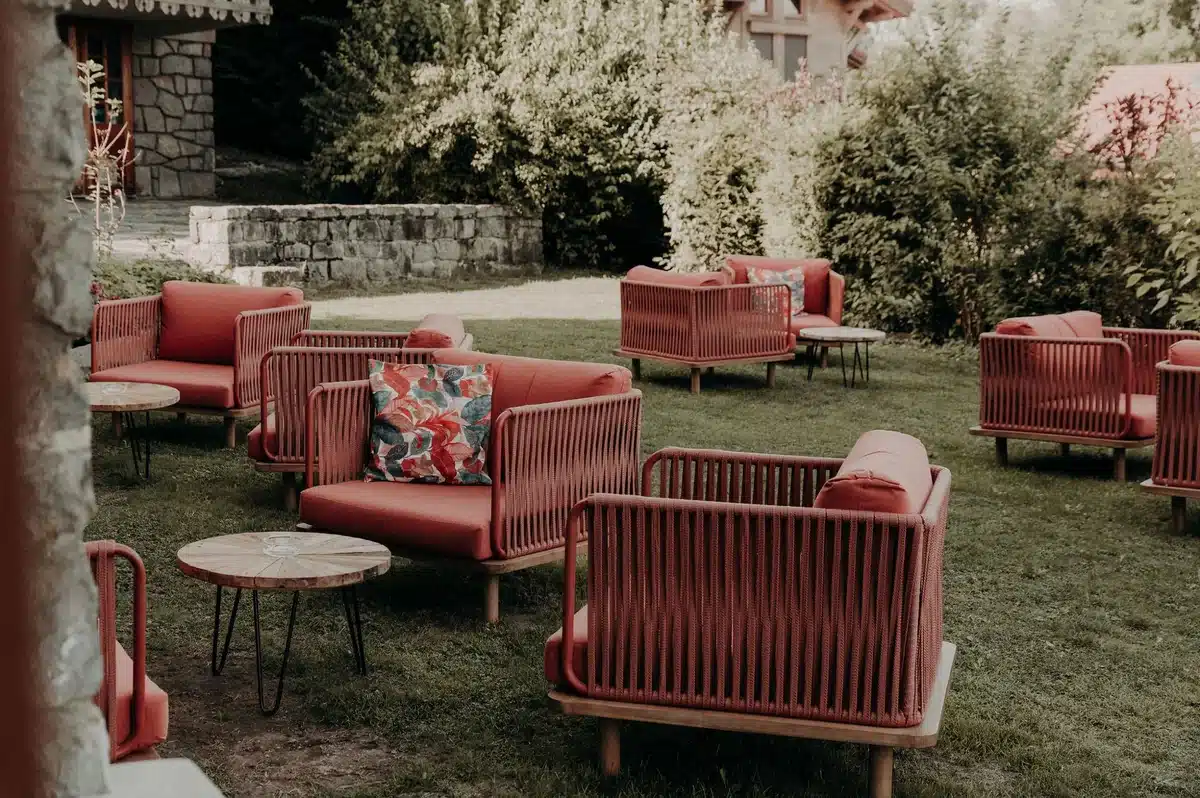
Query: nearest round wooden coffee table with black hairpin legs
[[284, 561]]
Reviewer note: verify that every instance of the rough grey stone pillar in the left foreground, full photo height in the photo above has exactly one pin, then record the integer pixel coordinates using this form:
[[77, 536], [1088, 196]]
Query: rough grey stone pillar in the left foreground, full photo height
[[56, 439]]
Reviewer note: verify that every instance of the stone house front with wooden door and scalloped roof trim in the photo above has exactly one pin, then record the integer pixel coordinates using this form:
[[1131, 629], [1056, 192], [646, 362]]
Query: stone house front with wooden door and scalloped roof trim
[[158, 59]]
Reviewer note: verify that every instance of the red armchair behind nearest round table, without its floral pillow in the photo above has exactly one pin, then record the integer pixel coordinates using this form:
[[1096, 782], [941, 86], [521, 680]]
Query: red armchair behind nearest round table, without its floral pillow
[[560, 431]]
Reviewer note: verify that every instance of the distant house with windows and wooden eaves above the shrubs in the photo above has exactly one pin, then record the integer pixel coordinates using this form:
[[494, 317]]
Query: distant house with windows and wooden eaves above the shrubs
[[830, 35]]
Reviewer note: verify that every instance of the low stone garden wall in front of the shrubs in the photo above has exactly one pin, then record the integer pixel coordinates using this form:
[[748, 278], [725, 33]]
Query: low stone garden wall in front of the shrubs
[[361, 244]]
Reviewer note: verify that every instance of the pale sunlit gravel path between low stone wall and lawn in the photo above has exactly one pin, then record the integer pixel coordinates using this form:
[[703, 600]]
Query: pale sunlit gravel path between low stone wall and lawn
[[583, 298]]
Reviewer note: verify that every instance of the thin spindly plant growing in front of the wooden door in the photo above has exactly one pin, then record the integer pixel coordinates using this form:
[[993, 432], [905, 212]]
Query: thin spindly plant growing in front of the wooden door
[[109, 157]]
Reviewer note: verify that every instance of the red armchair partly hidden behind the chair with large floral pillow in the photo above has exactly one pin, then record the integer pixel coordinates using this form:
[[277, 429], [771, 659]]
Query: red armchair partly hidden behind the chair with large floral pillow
[[290, 374]]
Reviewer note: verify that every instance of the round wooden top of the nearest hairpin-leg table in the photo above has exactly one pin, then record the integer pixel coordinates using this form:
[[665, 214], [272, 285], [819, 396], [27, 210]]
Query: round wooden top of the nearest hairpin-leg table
[[284, 561]]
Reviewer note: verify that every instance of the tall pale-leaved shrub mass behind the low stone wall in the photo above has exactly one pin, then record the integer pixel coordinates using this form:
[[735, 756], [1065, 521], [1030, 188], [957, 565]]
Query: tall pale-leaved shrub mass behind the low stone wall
[[633, 127]]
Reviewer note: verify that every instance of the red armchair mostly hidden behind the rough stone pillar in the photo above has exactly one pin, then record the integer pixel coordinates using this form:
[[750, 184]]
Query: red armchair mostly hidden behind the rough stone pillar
[[135, 707]]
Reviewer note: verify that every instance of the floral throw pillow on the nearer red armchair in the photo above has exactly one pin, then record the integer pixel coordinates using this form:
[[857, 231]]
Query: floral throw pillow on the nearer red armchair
[[431, 423]]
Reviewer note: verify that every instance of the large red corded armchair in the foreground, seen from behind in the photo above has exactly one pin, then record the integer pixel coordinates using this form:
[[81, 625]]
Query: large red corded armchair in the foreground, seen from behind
[[784, 596]]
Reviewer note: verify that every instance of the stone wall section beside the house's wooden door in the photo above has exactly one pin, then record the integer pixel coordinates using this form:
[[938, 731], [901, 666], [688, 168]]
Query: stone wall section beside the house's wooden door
[[173, 116]]
